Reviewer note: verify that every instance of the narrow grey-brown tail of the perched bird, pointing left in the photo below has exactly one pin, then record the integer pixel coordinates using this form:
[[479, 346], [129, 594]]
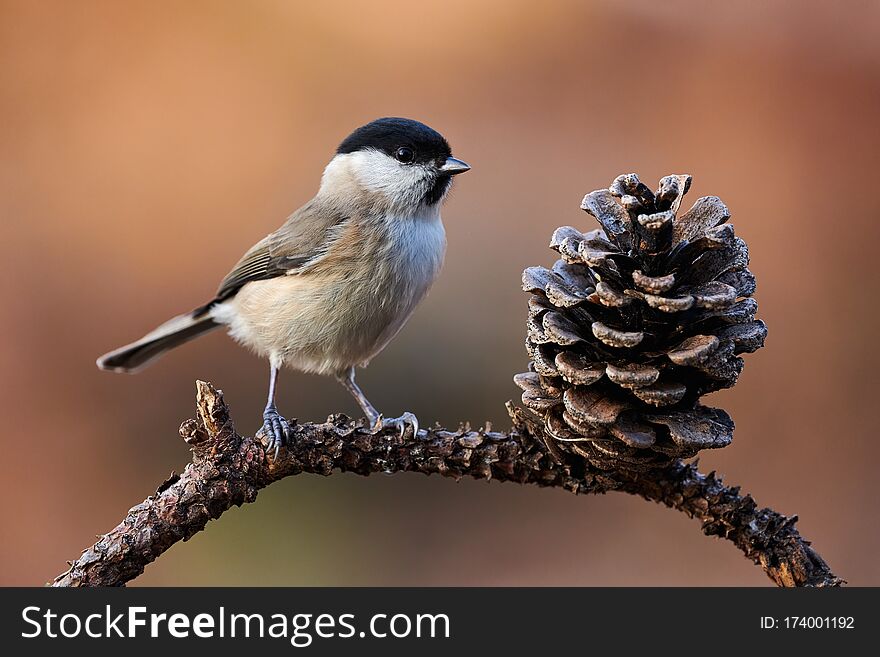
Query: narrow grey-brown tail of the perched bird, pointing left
[[177, 330]]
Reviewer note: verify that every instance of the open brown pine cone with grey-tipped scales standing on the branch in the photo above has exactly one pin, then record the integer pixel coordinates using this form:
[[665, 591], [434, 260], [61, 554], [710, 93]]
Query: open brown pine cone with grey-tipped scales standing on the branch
[[636, 322]]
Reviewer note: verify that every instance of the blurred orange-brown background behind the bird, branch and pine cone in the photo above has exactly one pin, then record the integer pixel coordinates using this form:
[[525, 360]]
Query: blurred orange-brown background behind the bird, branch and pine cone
[[146, 145]]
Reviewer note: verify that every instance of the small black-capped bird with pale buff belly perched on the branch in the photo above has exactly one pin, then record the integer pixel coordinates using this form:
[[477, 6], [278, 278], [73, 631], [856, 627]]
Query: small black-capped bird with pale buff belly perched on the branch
[[330, 288]]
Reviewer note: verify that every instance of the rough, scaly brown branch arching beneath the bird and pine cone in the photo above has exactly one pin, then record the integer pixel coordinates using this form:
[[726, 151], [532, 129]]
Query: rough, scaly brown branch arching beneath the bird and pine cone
[[228, 470]]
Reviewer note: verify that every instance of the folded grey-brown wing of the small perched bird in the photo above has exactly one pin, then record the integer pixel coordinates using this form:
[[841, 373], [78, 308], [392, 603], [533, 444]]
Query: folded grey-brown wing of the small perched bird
[[304, 237]]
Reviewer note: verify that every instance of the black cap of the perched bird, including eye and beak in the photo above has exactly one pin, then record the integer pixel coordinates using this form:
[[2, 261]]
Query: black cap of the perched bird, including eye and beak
[[406, 140]]
